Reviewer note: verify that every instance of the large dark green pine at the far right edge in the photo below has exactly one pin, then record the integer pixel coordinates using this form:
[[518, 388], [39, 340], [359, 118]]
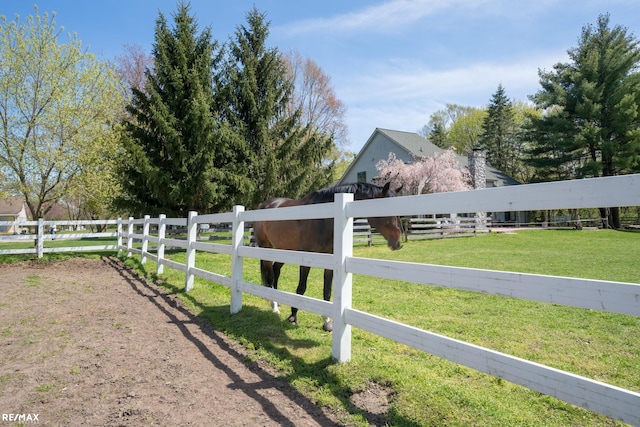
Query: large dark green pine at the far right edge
[[593, 105]]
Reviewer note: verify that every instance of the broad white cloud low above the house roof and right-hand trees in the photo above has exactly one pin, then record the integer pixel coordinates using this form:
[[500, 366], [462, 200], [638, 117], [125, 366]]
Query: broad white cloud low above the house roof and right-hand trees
[[404, 98]]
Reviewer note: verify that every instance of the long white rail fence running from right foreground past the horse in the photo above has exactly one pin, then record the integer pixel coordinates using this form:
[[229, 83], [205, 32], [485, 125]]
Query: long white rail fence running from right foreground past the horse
[[608, 296]]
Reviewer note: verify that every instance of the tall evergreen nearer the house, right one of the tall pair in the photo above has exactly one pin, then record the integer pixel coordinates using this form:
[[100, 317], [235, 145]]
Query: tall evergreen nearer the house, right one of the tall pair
[[285, 159]]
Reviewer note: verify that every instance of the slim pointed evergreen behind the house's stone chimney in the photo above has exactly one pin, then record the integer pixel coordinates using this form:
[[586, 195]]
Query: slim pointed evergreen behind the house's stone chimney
[[499, 133]]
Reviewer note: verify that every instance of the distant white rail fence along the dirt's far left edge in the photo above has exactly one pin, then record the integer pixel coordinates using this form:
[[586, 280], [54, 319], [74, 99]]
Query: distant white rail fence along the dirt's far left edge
[[42, 234]]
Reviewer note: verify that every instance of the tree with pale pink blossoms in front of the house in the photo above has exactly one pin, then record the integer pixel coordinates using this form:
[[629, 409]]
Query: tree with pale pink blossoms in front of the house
[[436, 174]]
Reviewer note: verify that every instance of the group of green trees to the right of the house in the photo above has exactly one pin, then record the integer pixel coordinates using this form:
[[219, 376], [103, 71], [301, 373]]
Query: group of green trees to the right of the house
[[583, 122]]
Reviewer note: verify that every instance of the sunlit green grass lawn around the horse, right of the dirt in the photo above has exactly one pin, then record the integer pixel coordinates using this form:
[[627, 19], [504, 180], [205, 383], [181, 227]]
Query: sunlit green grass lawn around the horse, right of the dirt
[[427, 390]]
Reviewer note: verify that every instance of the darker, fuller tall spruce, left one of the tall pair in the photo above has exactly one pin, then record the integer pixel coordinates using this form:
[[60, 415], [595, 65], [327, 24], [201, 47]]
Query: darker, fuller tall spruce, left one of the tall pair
[[181, 157]]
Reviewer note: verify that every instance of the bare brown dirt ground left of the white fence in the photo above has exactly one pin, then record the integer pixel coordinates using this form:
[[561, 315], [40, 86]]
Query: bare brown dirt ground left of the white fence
[[87, 342]]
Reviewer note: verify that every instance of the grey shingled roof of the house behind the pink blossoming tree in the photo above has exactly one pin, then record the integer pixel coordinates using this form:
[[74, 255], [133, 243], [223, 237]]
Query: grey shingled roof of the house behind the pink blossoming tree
[[419, 146]]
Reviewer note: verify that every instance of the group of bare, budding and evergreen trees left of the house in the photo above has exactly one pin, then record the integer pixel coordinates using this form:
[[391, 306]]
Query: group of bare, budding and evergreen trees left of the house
[[197, 125]]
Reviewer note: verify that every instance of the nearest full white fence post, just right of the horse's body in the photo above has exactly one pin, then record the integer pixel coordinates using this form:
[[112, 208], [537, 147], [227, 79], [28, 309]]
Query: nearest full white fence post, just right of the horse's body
[[342, 294]]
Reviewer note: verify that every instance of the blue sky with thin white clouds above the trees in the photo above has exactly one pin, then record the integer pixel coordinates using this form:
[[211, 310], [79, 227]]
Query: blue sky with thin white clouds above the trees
[[392, 62]]
